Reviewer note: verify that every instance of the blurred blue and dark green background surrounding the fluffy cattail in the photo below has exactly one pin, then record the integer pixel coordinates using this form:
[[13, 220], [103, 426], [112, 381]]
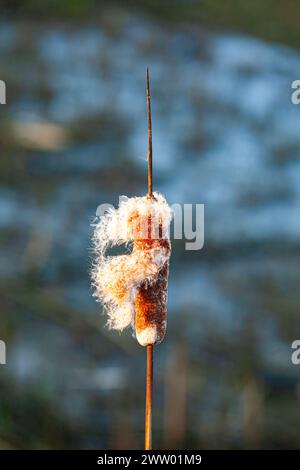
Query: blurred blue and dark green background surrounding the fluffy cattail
[[73, 136]]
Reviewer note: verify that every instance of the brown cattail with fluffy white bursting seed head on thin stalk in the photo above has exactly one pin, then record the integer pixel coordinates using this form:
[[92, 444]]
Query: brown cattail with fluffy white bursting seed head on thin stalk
[[133, 287]]
